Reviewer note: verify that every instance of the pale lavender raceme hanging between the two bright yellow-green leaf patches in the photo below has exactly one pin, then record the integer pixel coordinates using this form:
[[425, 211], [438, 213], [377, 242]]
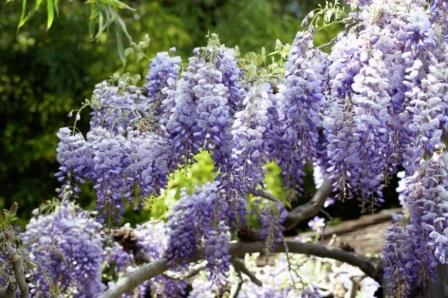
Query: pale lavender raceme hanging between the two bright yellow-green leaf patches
[[255, 137]]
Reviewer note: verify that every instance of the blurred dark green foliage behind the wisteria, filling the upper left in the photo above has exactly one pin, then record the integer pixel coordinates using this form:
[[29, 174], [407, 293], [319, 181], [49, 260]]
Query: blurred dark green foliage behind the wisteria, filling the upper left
[[45, 73]]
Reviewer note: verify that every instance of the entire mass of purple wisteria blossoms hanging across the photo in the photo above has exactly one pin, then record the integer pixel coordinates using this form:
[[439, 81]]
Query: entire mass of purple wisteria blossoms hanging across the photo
[[375, 104]]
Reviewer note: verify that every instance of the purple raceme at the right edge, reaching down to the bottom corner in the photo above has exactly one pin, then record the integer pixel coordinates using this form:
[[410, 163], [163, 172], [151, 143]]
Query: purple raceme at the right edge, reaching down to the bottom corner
[[415, 247]]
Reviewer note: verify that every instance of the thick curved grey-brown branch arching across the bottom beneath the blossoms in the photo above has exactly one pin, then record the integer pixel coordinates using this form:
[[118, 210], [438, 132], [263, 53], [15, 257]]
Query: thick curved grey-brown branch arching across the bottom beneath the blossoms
[[372, 267]]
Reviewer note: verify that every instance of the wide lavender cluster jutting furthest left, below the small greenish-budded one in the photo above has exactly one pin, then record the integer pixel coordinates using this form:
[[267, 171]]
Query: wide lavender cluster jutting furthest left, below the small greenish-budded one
[[115, 163]]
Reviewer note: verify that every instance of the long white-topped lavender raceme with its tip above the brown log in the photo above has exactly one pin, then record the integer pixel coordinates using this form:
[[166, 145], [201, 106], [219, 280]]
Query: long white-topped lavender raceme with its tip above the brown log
[[371, 134]]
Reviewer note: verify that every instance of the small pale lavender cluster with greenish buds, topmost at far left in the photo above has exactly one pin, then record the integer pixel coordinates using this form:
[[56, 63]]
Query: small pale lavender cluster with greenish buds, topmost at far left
[[116, 108]]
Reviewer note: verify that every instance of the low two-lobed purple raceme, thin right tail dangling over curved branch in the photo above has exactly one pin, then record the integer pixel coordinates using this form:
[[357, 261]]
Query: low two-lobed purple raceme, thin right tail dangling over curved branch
[[187, 237]]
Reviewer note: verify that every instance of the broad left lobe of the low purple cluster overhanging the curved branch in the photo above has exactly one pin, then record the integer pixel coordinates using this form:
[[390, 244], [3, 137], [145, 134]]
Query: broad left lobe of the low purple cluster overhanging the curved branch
[[185, 236]]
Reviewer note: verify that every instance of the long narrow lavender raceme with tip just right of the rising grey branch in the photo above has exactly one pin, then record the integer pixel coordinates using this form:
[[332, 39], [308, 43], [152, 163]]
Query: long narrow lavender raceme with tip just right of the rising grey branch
[[342, 156]]
